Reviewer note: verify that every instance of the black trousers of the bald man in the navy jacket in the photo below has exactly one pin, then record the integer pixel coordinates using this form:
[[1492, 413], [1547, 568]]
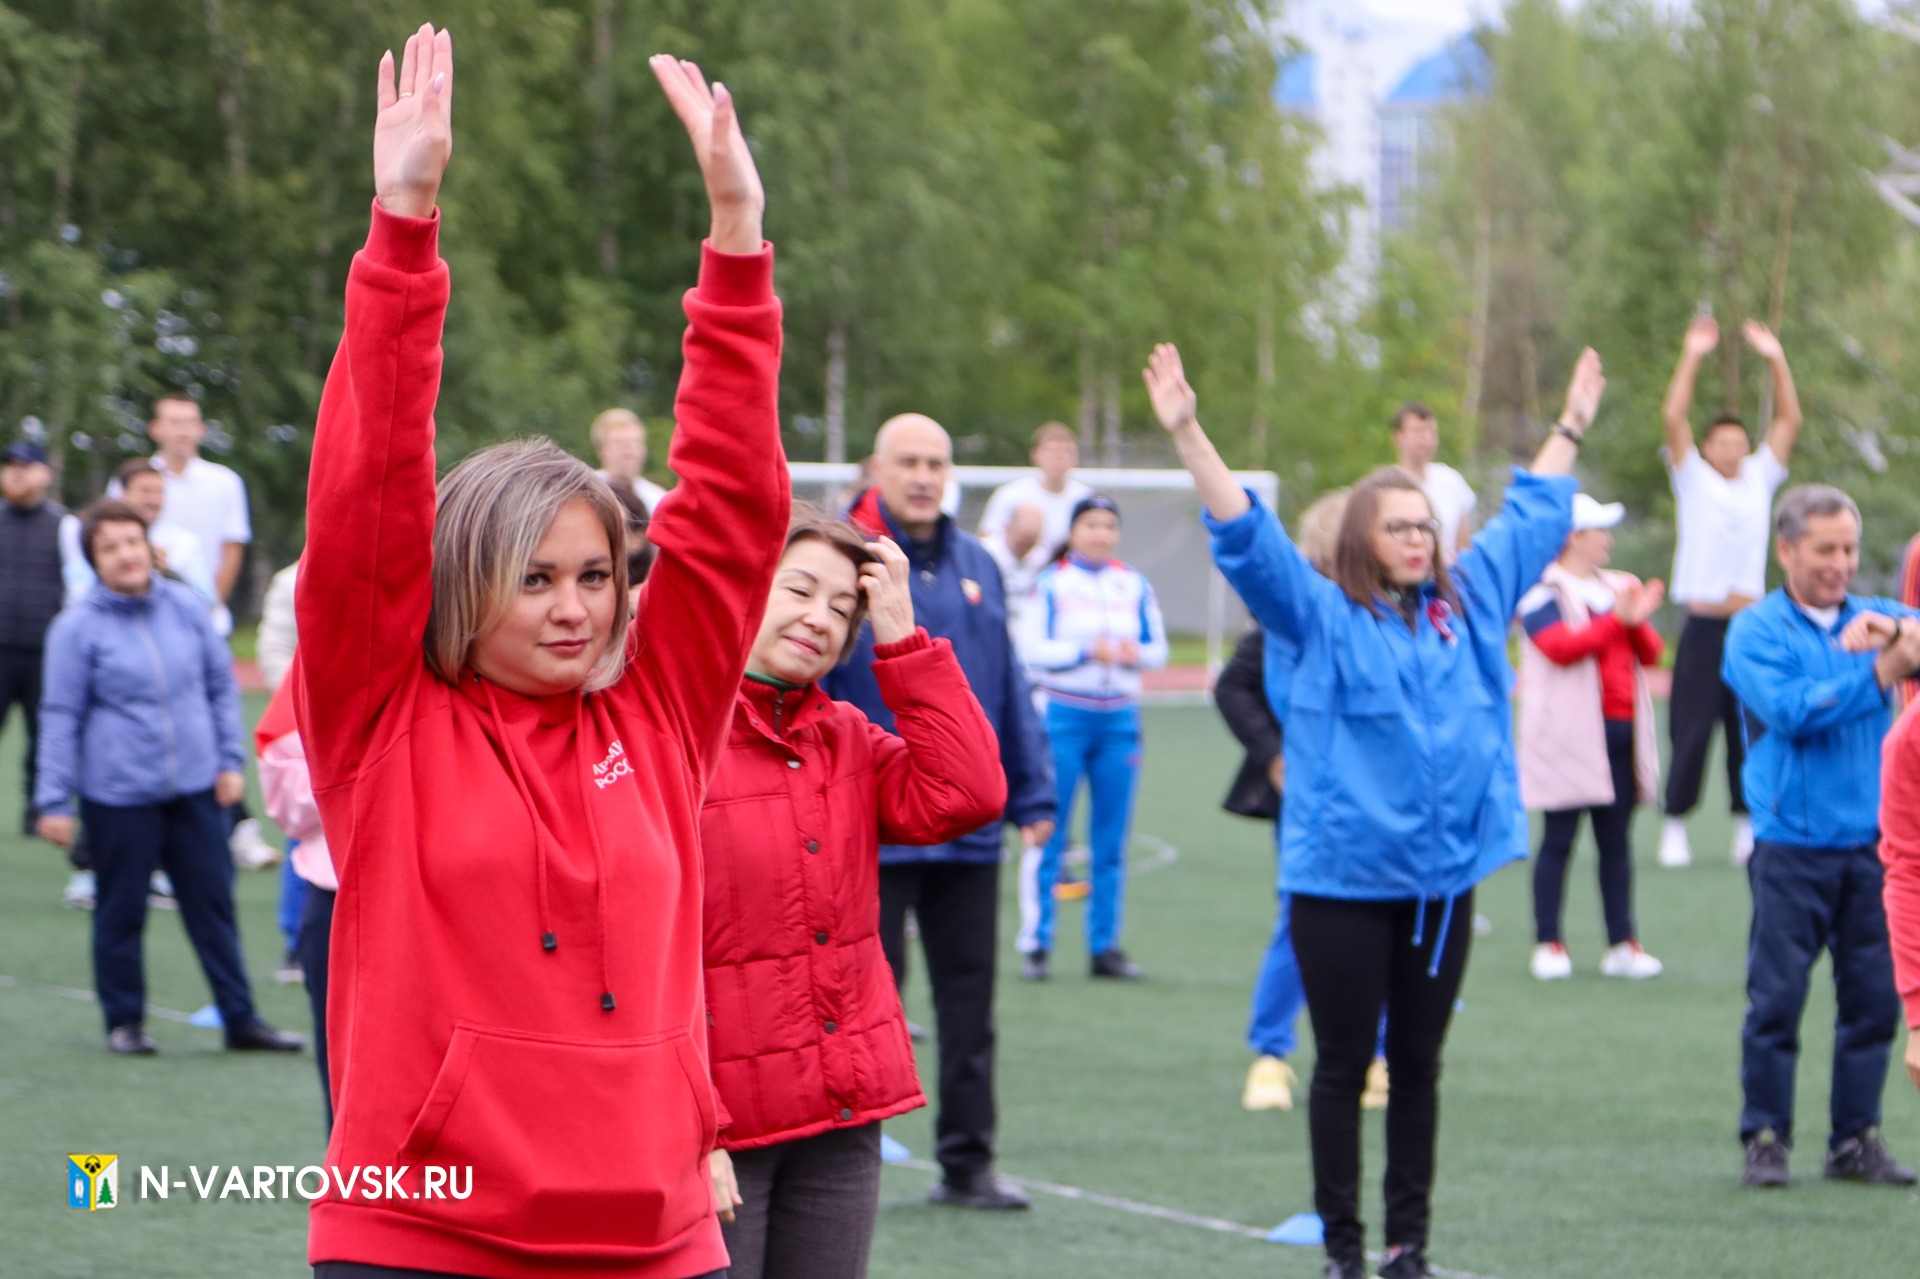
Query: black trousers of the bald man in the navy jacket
[[959, 911]]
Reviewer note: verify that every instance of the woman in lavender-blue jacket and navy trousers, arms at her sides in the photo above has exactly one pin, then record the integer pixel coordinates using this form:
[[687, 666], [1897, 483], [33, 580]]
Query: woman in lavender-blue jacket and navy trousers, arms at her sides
[[141, 719]]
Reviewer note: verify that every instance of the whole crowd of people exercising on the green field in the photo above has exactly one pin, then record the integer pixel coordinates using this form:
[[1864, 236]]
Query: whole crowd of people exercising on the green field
[[613, 809]]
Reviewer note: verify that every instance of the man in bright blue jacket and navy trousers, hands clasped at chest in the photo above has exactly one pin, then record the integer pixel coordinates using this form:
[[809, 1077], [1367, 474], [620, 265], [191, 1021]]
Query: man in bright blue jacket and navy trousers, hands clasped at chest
[[1812, 667]]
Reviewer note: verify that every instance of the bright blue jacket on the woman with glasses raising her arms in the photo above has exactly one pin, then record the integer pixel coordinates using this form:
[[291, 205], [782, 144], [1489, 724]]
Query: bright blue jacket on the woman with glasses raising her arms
[[1401, 779]]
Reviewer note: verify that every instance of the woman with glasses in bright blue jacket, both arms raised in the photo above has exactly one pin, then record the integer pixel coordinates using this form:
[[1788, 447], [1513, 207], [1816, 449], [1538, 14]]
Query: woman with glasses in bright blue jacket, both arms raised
[[1401, 777]]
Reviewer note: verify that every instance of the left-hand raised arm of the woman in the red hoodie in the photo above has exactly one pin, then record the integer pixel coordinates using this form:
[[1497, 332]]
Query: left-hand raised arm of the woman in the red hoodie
[[366, 585]]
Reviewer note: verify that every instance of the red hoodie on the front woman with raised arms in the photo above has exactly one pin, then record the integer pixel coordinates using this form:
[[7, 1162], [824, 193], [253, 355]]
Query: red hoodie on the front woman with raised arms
[[516, 973]]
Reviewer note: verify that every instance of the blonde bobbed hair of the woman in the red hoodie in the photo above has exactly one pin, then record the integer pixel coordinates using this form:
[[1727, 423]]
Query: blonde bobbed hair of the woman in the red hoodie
[[494, 510]]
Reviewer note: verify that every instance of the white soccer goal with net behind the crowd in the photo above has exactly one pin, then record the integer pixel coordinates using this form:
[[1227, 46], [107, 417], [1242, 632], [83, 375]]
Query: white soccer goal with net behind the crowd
[[1161, 533]]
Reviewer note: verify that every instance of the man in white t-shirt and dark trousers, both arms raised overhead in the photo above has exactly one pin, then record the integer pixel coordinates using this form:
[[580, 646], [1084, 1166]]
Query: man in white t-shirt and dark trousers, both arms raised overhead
[[1723, 504]]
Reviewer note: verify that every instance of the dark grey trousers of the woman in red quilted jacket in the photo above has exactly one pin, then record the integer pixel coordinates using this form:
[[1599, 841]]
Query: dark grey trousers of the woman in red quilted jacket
[[809, 1207]]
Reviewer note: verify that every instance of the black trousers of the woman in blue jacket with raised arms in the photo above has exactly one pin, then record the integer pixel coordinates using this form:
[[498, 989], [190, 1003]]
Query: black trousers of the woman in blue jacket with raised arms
[[1356, 957]]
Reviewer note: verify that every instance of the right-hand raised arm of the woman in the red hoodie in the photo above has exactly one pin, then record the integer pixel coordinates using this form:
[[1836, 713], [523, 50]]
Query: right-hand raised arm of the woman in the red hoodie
[[719, 541]]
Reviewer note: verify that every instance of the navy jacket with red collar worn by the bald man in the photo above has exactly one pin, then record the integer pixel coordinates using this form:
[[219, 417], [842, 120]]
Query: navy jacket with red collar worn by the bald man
[[959, 596]]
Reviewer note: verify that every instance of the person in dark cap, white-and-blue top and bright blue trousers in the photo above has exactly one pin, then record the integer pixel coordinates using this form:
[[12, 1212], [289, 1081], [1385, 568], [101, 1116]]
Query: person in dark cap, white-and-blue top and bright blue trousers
[[1086, 637]]
